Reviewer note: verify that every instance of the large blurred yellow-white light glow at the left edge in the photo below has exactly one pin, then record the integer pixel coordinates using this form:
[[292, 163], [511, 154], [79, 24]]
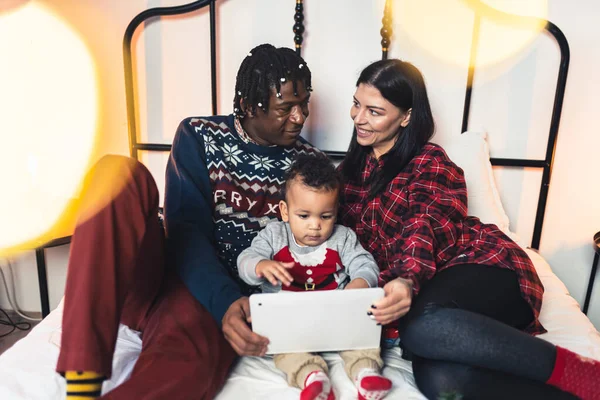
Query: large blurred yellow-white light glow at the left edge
[[48, 111]]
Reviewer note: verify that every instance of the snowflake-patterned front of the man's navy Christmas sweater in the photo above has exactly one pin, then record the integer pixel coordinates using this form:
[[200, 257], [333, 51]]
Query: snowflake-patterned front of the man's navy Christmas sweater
[[245, 179]]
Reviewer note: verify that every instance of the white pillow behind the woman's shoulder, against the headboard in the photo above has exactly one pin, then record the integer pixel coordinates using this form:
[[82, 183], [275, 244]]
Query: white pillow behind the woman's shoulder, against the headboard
[[470, 151]]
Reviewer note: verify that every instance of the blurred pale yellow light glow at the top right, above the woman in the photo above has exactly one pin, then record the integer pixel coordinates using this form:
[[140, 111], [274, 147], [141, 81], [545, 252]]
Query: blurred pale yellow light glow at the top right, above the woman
[[444, 28]]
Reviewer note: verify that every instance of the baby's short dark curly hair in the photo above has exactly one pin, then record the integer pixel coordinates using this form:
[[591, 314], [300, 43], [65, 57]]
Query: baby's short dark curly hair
[[315, 171]]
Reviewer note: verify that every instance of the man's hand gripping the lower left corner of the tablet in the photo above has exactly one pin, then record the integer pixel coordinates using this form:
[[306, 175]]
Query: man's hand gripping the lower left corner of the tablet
[[238, 333]]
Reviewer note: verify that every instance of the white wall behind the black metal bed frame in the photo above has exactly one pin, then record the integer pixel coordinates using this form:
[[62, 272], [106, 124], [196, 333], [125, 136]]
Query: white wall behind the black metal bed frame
[[511, 102]]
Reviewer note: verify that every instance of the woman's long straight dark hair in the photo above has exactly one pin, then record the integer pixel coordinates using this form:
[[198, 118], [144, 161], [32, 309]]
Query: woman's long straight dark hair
[[402, 84]]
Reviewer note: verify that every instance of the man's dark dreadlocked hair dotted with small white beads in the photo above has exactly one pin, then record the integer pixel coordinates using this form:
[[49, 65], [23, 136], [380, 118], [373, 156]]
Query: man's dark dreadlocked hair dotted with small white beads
[[264, 68]]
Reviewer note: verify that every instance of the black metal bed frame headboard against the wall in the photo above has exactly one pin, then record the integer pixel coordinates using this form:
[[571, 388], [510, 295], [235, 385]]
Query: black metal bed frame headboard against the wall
[[481, 11]]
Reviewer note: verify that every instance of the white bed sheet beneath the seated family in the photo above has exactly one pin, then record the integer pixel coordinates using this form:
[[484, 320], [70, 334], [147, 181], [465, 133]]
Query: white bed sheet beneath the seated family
[[27, 369]]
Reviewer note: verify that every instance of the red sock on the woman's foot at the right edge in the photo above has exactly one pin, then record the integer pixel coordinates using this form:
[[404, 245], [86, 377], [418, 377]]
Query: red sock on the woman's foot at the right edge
[[576, 374]]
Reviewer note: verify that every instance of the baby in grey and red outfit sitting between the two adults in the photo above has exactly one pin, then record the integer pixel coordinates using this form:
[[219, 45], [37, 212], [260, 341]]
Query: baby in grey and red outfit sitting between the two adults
[[308, 251]]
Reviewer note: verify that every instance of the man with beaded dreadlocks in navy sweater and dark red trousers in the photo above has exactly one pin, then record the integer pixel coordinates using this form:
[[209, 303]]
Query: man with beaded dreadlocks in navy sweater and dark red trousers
[[222, 187]]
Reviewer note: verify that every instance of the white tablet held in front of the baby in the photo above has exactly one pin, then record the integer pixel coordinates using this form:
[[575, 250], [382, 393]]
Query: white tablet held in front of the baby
[[329, 320]]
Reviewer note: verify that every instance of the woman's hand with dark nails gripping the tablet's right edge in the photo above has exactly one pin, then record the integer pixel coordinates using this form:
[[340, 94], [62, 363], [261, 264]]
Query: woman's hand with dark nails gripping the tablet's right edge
[[395, 304]]
